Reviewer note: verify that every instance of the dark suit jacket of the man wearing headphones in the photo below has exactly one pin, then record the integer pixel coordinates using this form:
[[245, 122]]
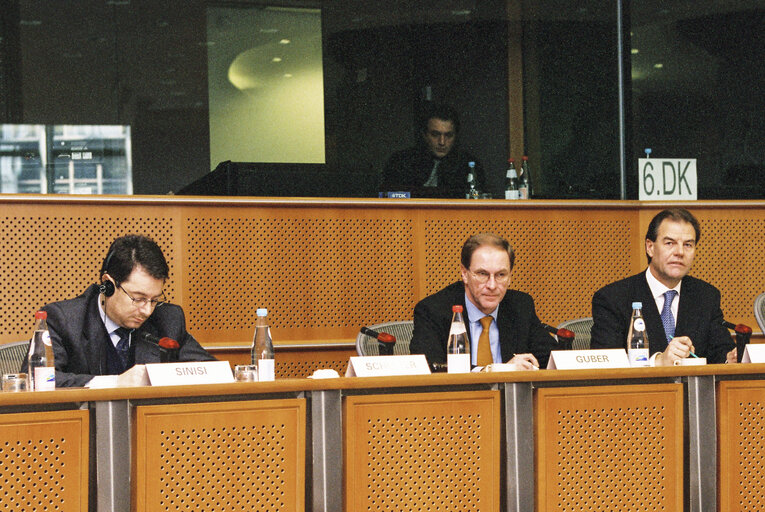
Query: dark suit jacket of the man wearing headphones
[[79, 338]]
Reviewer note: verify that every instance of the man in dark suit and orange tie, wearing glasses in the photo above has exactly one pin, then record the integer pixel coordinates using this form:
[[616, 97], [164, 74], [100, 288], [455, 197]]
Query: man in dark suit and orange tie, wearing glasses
[[515, 334]]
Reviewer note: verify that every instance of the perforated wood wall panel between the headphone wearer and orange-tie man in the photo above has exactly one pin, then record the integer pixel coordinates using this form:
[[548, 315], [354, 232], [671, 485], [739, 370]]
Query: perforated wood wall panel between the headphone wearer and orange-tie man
[[313, 273]]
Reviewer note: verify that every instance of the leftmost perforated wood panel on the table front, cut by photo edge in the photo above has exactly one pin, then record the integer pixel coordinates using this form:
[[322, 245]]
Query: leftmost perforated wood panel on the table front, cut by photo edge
[[44, 461]]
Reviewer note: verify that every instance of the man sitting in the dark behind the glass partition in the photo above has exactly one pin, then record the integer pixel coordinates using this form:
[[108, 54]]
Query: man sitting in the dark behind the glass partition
[[435, 166]]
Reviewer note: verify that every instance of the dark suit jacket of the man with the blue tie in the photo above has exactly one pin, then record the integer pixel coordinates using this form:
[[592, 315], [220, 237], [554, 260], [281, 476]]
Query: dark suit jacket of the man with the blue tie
[[698, 316]]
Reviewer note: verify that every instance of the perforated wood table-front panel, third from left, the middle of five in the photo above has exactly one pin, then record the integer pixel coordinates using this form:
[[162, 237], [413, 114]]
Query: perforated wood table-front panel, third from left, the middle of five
[[423, 452]]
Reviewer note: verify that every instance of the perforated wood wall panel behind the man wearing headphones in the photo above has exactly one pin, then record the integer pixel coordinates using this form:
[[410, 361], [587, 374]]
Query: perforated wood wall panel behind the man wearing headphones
[[53, 256]]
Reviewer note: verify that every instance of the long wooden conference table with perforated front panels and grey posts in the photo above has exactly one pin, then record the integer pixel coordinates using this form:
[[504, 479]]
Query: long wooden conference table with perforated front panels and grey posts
[[678, 438]]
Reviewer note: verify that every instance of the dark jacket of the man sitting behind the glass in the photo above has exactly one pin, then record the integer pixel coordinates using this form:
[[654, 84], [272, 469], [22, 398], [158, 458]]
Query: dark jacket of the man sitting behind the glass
[[408, 170]]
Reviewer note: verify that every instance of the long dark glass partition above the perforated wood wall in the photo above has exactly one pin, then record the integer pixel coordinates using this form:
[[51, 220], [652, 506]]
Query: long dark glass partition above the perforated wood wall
[[537, 77]]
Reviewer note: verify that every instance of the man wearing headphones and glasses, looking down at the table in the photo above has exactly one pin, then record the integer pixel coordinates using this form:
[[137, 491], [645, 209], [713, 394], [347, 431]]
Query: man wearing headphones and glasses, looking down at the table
[[104, 331]]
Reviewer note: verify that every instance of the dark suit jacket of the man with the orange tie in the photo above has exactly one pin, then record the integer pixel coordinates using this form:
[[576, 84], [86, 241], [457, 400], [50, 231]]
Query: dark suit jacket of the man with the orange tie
[[520, 331]]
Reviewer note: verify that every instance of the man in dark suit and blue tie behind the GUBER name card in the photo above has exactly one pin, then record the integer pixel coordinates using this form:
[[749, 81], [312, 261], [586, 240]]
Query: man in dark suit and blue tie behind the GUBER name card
[[682, 313]]
